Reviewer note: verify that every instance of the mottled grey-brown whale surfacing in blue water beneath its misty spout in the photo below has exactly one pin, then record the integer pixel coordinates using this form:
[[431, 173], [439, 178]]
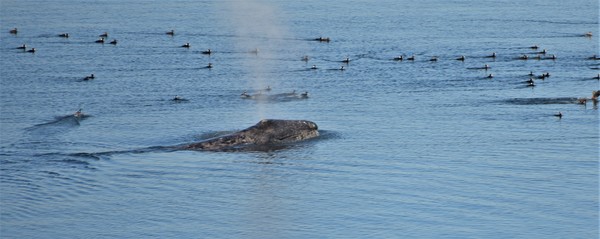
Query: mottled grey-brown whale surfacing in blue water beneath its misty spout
[[264, 133]]
